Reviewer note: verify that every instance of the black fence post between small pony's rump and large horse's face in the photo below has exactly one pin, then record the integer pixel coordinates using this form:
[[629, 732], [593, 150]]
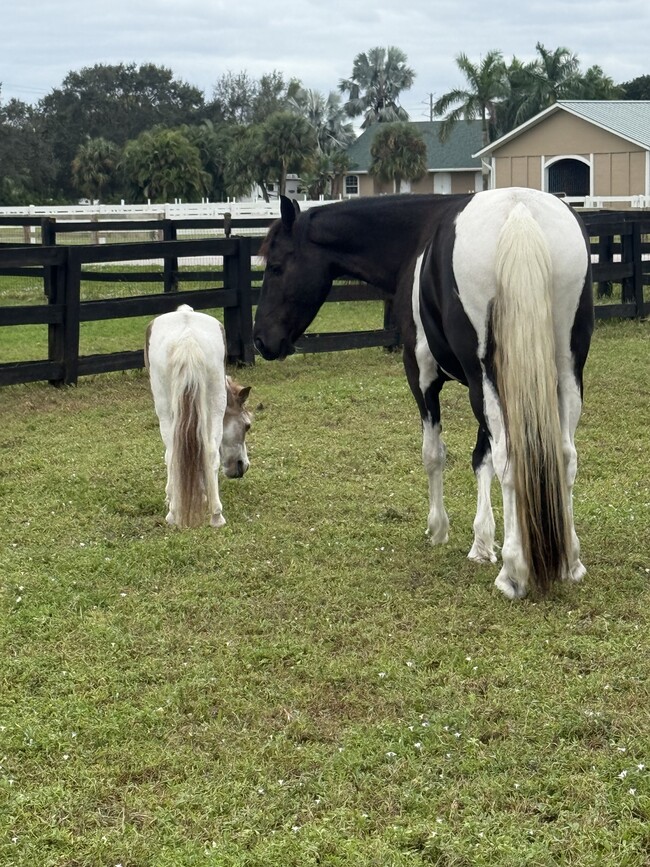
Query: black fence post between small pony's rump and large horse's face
[[238, 321]]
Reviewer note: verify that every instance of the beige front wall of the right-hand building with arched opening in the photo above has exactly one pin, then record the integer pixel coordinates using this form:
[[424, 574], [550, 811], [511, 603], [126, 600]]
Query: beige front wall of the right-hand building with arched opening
[[618, 166]]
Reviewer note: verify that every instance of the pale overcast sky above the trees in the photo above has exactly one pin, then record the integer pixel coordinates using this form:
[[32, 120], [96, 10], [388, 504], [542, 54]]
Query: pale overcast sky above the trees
[[313, 40]]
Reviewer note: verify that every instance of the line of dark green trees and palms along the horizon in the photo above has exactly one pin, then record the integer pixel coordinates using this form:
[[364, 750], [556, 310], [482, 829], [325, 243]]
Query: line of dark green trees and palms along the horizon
[[137, 133]]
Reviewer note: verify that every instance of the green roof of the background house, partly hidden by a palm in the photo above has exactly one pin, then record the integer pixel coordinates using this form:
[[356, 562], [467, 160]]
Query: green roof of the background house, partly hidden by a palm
[[453, 154]]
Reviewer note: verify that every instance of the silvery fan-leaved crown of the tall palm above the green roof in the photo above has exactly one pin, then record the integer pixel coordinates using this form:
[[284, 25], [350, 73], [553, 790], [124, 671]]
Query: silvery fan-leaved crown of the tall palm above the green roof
[[378, 77]]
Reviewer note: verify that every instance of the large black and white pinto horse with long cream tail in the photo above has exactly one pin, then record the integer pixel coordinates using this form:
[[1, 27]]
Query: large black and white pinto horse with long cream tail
[[492, 289]]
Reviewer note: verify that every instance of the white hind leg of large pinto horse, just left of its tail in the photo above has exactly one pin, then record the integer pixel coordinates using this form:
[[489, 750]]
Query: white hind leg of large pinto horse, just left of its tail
[[512, 580]]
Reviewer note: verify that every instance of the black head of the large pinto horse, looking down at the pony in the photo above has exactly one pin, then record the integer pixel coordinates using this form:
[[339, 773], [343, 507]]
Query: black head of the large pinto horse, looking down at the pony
[[296, 280]]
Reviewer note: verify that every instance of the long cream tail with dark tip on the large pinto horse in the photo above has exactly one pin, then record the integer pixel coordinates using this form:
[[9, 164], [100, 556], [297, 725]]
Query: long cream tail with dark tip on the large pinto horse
[[527, 385]]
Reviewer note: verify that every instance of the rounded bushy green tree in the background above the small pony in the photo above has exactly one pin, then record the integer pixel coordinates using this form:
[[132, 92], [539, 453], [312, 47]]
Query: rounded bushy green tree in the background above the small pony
[[161, 165]]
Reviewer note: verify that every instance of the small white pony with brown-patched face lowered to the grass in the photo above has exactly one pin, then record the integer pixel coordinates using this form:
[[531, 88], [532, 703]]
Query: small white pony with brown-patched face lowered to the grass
[[201, 412]]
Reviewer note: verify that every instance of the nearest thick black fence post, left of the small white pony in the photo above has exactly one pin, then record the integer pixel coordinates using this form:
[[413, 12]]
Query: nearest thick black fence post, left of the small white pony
[[63, 337]]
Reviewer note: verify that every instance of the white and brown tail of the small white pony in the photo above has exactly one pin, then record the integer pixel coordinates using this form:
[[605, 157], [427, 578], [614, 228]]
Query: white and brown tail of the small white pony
[[191, 467]]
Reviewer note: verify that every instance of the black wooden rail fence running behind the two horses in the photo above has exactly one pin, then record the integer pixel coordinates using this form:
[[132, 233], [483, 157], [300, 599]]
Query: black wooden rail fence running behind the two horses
[[618, 238]]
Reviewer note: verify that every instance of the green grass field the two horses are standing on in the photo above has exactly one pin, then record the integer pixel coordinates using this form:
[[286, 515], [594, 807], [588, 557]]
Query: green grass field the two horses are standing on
[[314, 684]]
